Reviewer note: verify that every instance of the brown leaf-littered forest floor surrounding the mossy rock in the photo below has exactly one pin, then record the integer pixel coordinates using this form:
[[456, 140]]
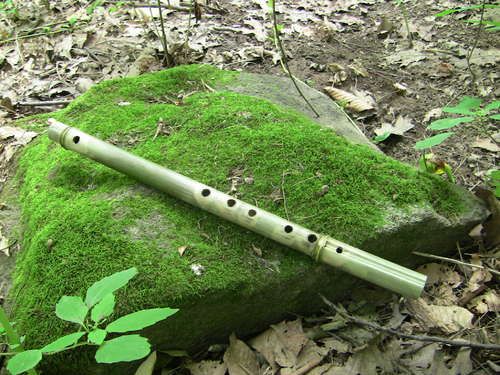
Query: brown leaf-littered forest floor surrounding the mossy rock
[[50, 55]]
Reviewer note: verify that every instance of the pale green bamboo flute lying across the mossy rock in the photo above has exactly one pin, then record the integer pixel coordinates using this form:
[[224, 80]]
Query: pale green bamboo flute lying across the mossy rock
[[321, 248]]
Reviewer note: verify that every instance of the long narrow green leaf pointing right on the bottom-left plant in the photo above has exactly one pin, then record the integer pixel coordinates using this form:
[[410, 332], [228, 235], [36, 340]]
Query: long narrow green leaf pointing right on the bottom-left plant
[[140, 319]]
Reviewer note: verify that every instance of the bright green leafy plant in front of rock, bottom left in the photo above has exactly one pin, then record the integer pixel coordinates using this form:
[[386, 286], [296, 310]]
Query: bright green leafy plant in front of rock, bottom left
[[90, 315]]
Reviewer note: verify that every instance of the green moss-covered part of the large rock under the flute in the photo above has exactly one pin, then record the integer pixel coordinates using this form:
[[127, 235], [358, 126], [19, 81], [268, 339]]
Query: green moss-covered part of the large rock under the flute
[[84, 221]]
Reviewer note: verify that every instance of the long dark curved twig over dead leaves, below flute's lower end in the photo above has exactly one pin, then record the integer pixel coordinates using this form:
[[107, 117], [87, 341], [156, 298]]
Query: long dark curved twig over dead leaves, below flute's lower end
[[423, 338]]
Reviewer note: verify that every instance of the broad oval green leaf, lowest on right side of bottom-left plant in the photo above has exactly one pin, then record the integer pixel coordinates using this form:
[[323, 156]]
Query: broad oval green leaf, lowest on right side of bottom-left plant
[[123, 349]]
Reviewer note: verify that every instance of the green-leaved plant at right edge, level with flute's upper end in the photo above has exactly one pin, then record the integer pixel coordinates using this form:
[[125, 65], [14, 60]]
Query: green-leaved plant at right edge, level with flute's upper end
[[474, 114]]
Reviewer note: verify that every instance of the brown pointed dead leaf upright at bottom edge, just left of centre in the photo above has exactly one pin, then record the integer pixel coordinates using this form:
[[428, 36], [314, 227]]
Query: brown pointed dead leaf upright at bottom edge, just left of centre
[[240, 359]]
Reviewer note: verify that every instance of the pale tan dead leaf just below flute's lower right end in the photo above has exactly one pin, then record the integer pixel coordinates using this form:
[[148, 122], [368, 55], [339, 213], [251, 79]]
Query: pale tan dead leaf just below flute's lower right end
[[449, 319]]
